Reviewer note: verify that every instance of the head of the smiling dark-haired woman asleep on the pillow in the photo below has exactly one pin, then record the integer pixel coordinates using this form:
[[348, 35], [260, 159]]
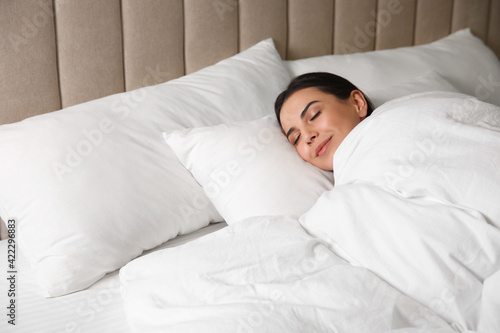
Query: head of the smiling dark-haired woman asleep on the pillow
[[317, 111]]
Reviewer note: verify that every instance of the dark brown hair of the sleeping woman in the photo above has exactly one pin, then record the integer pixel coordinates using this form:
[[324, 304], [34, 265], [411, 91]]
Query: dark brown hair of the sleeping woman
[[326, 82]]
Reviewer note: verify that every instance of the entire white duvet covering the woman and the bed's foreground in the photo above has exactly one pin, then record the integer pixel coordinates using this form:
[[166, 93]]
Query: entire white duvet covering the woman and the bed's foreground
[[414, 210]]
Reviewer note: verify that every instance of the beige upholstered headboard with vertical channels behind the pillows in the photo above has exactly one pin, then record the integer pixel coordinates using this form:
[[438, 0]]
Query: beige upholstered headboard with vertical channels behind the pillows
[[57, 53]]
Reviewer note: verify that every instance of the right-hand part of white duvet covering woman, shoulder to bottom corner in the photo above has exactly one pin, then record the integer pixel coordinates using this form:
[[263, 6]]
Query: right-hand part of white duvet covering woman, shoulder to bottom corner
[[417, 201]]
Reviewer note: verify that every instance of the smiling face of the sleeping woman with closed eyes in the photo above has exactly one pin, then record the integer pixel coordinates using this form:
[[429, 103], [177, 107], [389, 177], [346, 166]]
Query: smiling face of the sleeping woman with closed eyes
[[316, 123]]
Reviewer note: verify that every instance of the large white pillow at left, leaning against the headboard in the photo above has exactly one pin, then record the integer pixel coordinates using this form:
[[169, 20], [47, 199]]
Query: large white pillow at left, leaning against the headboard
[[94, 185]]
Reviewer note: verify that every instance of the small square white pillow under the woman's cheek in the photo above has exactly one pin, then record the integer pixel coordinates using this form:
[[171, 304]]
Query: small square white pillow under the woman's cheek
[[249, 169]]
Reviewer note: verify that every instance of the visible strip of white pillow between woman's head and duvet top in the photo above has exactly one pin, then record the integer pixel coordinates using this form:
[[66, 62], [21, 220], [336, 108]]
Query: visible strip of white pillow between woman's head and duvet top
[[429, 81]]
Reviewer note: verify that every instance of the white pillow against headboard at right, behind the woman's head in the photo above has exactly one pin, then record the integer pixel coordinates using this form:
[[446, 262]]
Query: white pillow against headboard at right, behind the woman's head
[[461, 58]]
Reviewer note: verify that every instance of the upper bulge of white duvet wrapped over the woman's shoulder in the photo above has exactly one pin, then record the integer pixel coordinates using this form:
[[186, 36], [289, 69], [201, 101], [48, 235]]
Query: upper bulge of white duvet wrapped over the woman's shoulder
[[436, 145]]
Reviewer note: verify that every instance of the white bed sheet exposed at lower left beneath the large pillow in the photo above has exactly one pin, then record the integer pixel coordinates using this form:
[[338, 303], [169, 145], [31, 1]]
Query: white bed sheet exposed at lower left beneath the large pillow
[[95, 309]]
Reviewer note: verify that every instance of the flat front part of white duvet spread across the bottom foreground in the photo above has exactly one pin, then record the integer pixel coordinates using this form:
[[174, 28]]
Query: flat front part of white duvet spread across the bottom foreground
[[263, 274]]
